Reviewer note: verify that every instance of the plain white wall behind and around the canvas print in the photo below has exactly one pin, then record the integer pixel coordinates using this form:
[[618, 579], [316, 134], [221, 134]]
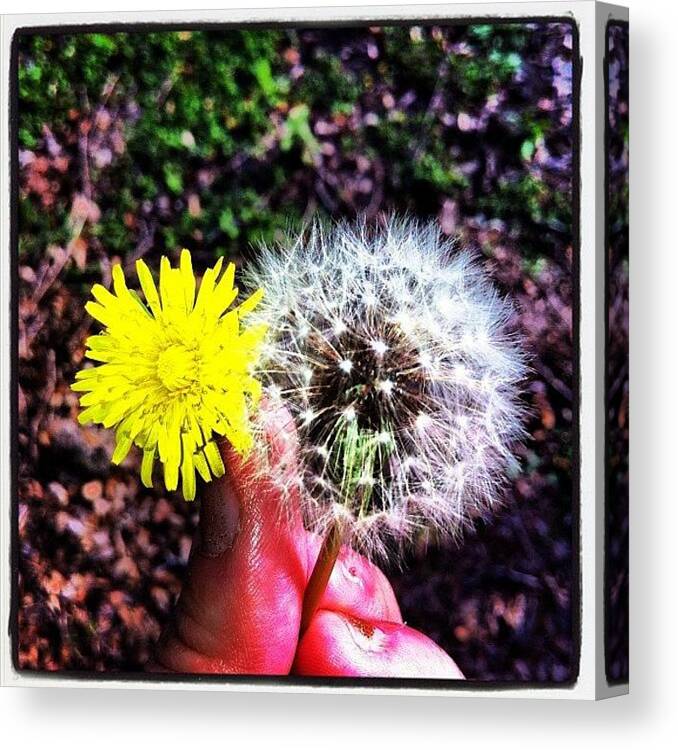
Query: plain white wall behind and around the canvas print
[[647, 718]]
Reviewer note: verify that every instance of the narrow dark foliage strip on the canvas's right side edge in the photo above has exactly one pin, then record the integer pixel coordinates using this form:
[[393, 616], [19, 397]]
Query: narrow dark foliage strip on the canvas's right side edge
[[617, 384]]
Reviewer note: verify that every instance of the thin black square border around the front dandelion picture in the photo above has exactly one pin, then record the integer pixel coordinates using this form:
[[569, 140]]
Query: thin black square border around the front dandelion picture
[[441, 685]]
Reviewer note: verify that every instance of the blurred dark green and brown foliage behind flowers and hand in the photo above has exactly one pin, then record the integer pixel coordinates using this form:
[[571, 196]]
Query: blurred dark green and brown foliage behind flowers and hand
[[135, 144]]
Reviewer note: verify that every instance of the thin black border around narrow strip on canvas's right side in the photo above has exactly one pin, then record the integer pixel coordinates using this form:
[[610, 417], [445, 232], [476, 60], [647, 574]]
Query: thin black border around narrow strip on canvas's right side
[[607, 438]]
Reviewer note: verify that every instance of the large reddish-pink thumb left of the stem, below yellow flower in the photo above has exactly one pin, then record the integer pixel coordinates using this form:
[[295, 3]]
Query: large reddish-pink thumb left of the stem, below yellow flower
[[240, 606]]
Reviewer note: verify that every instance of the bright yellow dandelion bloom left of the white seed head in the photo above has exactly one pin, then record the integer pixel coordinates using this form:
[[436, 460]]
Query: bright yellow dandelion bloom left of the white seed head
[[174, 373]]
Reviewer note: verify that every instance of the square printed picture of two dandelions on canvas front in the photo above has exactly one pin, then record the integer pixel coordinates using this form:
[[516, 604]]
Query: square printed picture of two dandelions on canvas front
[[296, 391]]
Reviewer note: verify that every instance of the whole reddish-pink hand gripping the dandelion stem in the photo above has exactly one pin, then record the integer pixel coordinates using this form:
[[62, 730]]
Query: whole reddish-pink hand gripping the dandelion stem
[[240, 607]]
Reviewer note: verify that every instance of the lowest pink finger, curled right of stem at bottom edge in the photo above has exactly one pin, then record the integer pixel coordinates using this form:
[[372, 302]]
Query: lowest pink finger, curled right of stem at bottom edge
[[337, 645]]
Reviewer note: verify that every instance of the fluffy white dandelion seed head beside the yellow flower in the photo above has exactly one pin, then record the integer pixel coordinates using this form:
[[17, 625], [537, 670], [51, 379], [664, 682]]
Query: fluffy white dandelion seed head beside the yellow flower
[[408, 370]]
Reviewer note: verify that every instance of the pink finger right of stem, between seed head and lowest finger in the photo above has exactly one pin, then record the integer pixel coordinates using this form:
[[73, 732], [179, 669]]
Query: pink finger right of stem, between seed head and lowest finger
[[356, 587]]
